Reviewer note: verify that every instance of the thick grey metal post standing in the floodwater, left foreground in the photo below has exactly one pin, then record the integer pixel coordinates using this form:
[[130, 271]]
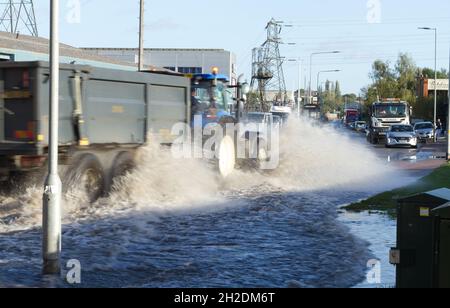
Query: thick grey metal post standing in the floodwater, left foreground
[[51, 219]]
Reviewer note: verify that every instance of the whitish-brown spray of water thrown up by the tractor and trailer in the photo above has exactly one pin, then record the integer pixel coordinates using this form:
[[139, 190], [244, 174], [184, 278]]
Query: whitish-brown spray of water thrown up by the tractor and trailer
[[312, 159]]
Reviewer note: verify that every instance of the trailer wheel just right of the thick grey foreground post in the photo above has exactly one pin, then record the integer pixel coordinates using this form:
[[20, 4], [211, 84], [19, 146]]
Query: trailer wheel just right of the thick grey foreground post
[[86, 175]]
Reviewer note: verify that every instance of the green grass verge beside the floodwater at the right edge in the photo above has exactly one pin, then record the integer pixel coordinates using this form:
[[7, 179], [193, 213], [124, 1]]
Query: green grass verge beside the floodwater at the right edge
[[387, 201]]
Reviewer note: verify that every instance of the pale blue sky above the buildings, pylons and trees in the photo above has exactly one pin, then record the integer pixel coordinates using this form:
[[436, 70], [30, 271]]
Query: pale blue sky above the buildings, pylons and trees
[[362, 30]]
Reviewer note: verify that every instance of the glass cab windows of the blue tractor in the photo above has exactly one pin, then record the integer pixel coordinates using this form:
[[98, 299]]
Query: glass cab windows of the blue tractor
[[206, 97]]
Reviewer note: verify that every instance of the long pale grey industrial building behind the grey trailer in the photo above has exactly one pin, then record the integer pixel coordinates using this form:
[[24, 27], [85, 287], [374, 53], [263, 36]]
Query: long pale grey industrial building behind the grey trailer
[[185, 61]]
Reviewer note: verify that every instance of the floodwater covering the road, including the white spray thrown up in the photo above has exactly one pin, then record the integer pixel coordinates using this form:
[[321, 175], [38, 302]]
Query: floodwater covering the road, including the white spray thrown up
[[173, 223]]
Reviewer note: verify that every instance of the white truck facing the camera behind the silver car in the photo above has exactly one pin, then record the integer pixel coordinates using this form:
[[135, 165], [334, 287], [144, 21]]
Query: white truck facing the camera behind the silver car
[[385, 114]]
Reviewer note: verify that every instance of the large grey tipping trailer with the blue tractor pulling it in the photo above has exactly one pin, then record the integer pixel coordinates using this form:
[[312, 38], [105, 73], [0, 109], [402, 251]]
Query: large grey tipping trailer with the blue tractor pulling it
[[105, 117]]
